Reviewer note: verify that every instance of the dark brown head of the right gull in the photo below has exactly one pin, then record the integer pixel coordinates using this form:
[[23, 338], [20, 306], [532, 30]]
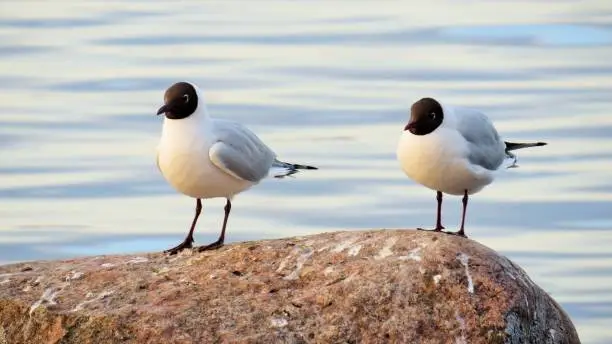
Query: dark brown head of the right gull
[[425, 116]]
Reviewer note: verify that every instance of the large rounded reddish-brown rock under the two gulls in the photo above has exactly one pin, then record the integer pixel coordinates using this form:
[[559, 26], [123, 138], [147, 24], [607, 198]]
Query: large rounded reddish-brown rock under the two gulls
[[399, 286]]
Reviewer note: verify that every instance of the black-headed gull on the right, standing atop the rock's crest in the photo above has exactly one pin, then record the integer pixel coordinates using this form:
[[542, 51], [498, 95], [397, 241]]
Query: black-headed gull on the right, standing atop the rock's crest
[[452, 150]]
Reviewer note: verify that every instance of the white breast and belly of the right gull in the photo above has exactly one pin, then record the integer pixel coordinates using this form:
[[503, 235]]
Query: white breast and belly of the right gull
[[438, 161]]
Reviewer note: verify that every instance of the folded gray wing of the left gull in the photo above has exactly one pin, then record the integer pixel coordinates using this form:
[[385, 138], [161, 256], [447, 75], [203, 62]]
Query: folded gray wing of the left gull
[[239, 152]]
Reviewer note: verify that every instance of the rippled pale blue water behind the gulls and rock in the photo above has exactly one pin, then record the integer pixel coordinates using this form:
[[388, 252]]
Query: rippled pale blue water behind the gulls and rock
[[323, 84]]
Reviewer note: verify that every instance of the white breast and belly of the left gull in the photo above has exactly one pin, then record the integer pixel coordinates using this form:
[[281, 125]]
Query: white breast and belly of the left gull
[[183, 159]]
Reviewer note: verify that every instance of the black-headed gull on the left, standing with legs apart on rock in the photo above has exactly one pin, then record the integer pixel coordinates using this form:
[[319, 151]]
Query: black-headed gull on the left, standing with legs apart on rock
[[204, 157]]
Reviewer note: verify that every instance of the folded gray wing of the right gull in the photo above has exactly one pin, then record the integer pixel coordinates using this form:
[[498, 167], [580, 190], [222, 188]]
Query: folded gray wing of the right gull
[[486, 148]]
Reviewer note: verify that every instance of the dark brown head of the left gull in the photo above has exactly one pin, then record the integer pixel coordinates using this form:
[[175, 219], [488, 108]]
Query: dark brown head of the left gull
[[180, 101]]
